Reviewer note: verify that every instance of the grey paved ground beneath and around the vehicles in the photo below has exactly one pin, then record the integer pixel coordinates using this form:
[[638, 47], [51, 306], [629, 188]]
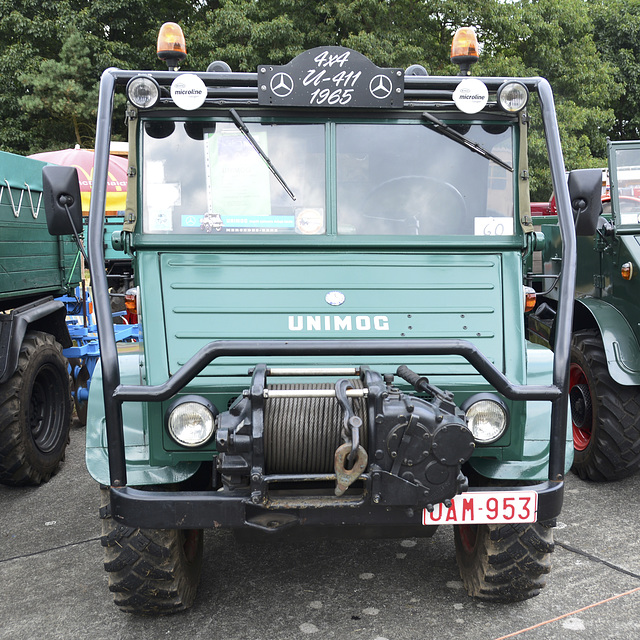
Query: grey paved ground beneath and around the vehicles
[[53, 584]]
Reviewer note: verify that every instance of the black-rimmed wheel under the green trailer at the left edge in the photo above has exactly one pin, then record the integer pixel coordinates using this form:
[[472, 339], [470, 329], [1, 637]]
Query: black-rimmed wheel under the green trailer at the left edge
[[35, 413]]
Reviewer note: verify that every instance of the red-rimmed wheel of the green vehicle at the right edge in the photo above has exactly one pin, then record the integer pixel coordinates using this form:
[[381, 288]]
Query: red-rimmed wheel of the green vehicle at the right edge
[[605, 415]]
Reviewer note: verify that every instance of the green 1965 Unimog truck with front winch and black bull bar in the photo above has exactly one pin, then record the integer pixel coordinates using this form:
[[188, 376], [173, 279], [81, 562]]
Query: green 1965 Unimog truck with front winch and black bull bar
[[329, 263]]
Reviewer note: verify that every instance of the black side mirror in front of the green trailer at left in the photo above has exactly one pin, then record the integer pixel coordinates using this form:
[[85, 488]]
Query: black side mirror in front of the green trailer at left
[[62, 202]]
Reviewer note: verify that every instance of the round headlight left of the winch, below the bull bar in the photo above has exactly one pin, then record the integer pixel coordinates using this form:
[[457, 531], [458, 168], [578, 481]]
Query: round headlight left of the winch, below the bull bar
[[191, 421]]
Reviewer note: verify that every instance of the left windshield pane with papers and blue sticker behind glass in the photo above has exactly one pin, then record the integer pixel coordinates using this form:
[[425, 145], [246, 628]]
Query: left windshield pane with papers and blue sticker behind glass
[[206, 177]]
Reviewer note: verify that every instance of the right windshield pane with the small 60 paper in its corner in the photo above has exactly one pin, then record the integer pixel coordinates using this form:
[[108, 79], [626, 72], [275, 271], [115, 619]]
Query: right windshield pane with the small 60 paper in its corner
[[410, 180]]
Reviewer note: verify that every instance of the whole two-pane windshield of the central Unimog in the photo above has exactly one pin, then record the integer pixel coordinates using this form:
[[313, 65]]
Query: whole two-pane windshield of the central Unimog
[[368, 178]]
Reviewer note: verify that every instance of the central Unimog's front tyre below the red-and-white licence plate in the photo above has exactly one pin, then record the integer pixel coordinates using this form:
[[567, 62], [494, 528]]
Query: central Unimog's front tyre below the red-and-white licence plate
[[504, 563]]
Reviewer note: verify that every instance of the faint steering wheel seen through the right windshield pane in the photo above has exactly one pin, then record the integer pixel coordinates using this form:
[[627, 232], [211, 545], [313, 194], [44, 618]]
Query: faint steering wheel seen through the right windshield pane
[[416, 205]]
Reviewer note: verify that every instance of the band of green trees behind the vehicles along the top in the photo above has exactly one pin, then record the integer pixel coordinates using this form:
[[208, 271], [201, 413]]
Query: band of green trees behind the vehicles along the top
[[53, 54]]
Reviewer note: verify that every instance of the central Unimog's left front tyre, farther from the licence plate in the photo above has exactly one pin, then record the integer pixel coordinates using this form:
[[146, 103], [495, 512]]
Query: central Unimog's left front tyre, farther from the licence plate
[[151, 571]]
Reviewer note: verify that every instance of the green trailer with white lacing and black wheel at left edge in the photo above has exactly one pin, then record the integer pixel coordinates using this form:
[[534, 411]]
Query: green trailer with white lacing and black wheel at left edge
[[35, 268]]
